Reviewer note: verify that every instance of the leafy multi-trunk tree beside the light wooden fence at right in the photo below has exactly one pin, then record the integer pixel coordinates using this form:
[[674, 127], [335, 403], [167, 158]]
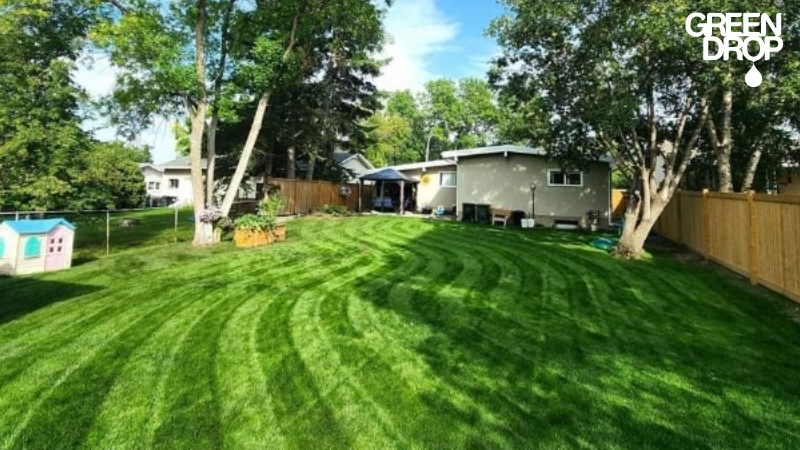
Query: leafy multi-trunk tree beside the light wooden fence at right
[[622, 79]]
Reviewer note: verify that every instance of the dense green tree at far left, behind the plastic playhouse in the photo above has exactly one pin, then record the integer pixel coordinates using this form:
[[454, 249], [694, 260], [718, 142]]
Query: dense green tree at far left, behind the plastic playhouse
[[40, 133]]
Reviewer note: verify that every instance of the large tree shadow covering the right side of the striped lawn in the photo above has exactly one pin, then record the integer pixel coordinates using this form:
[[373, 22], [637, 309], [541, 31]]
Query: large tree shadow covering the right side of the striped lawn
[[554, 343]]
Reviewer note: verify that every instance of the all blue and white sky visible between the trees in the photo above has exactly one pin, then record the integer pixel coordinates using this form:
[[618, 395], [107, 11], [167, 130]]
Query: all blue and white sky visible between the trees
[[428, 39]]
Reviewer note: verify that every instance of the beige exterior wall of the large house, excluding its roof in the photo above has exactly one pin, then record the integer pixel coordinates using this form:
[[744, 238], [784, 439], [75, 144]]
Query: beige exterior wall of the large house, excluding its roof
[[505, 182]]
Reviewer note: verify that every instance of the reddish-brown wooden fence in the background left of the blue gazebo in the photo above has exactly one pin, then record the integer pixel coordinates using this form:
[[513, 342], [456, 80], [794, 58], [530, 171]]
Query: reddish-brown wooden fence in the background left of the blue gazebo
[[304, 196]]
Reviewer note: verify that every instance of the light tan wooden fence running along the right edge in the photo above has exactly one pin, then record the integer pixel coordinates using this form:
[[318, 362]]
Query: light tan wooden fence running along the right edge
[[755, 235]]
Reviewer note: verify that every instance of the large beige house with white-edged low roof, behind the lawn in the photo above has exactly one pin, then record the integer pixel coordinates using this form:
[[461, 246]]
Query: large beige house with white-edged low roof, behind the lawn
[[511, 177]]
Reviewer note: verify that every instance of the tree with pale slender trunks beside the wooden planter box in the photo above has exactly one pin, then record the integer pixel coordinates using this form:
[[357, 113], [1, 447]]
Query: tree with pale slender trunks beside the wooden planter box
[[194, 57]]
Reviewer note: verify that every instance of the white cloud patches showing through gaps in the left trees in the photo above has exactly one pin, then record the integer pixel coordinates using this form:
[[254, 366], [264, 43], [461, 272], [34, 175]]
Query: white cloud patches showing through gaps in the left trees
[[97, 76]]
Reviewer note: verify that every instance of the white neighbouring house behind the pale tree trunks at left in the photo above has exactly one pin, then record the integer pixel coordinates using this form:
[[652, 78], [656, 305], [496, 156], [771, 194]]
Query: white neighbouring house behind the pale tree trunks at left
[[169, 183]]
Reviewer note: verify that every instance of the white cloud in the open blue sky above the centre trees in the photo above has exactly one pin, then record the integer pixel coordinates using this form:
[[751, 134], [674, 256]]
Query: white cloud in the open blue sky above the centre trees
[[418, 32]]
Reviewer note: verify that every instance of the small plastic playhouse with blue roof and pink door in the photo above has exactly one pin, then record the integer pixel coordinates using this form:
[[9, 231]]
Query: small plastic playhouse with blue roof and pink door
[[33, 246]]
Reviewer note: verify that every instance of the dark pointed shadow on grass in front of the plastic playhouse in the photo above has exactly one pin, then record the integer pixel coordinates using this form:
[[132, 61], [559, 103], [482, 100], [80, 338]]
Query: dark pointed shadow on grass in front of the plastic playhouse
[[21, 296]]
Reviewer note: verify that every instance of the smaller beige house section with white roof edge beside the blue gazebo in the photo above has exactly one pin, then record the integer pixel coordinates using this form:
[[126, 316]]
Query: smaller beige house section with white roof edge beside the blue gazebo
[[437, 183]]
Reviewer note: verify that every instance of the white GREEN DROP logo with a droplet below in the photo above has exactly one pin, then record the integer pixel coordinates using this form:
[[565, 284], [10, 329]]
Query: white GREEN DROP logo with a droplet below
[[750, 36]]
